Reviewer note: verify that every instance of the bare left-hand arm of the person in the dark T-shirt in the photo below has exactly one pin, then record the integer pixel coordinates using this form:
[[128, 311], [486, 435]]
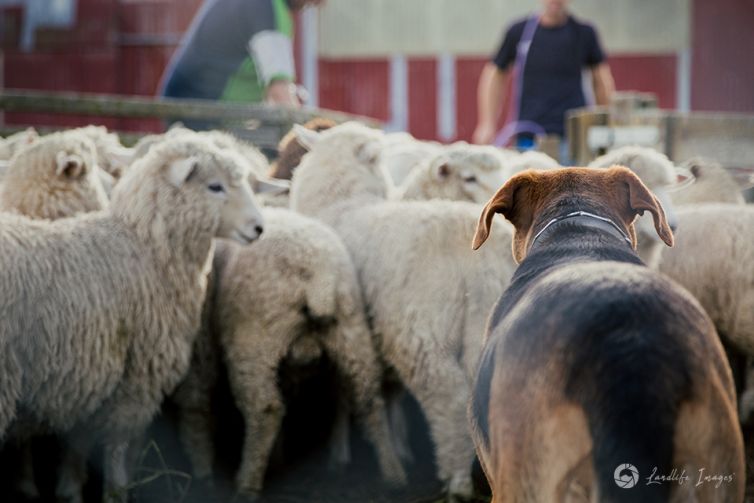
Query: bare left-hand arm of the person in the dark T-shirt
[[493, 83]]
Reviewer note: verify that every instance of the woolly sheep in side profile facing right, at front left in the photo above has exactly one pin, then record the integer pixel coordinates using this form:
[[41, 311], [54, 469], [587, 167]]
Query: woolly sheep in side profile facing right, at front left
[[100, 311]]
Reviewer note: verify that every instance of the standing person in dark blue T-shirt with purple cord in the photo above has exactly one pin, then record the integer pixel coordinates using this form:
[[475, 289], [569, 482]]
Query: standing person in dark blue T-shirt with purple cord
[[544, 56]]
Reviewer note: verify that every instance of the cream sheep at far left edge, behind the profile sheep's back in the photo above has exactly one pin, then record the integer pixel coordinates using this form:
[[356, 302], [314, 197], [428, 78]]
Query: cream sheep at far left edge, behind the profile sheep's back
[[55, 177]]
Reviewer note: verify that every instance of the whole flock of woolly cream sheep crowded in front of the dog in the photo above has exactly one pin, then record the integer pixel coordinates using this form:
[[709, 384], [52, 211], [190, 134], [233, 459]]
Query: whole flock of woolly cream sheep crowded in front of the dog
[[128, 275]]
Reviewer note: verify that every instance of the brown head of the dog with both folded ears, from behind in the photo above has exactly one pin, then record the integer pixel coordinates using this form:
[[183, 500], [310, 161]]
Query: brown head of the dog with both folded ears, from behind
[[532, 198]]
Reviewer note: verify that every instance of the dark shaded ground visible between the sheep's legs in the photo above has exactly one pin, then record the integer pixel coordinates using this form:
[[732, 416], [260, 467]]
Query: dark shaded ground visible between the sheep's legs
[[298, 472]]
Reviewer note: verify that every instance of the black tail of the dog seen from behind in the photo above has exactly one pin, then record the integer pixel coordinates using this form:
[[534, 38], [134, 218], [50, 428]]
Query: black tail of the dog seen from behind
[[632, 414]]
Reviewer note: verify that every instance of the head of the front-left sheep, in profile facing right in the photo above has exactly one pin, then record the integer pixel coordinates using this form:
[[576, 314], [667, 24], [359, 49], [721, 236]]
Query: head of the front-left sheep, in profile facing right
[[189, 183]]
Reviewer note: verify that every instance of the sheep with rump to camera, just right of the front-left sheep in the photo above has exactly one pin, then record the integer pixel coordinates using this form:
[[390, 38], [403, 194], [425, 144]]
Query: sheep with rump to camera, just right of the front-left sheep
[[295, 292]]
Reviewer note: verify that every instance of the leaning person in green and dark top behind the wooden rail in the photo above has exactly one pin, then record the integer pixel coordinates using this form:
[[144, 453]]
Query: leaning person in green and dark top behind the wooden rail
[[237, 51]]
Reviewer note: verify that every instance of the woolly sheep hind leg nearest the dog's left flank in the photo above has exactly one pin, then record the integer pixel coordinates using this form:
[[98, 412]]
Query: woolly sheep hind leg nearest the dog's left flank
[[439, 385]]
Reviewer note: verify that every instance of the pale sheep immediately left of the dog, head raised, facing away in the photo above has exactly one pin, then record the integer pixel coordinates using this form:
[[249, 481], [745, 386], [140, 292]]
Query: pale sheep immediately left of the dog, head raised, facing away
[[427, 295]]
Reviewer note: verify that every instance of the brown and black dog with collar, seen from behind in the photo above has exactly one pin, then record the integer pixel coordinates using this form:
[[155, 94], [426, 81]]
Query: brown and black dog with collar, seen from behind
[[600, 379]]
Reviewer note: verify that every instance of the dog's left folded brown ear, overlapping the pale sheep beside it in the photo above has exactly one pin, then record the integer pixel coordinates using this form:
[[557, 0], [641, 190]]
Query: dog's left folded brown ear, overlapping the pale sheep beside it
[[512, 201]]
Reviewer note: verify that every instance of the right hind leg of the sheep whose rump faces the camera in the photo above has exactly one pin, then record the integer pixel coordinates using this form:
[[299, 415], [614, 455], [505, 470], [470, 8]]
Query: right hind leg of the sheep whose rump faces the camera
[[361, 370]]
